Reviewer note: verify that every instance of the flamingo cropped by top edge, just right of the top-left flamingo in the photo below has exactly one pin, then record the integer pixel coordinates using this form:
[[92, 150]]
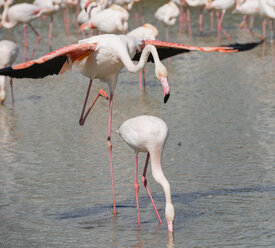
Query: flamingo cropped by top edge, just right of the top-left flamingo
[[52, 7]]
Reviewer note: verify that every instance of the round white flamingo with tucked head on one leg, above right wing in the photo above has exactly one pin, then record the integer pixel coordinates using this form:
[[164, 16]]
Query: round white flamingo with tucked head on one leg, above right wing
[[168, 14]]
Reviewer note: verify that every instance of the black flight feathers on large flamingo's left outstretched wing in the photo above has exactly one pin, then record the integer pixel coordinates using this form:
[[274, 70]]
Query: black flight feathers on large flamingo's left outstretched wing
[[47, 68]]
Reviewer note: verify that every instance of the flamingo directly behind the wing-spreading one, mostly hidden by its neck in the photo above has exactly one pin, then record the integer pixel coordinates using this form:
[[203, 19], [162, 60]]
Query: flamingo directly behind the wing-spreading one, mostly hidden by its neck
[[144, 32]]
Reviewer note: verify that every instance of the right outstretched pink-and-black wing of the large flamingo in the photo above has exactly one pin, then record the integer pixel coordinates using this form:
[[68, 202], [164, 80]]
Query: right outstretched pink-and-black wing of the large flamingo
[[169, 49]]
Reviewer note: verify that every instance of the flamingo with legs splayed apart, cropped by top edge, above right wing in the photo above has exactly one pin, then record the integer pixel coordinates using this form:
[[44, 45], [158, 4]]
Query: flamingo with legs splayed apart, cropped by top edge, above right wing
[[222, 5]]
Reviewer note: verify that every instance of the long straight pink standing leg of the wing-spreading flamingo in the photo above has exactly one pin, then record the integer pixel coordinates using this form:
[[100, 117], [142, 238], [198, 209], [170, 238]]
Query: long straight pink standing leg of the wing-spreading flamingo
[[109, 146]]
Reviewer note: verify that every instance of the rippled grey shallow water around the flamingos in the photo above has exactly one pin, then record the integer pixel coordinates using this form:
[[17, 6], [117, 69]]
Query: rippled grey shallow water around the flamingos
[[55, 188]]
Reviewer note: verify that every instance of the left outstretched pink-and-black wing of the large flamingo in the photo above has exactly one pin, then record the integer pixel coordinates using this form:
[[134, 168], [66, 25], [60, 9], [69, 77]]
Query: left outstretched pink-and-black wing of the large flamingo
[[55, 62]]
